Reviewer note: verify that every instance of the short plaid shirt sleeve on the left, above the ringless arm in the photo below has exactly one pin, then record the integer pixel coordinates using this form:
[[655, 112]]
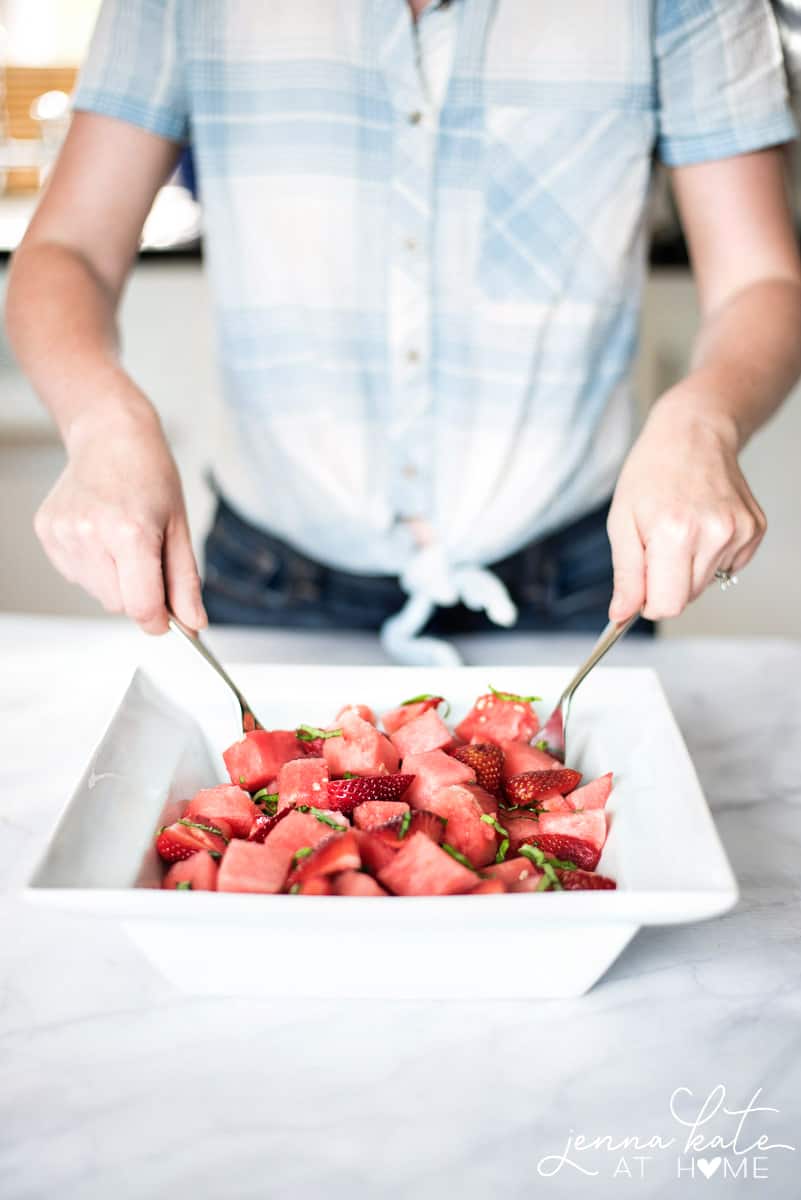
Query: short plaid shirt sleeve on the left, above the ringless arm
[[134, 69]]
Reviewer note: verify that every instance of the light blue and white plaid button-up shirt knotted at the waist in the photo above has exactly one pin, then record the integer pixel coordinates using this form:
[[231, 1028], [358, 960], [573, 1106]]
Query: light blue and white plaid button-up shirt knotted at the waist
[[427, 248]]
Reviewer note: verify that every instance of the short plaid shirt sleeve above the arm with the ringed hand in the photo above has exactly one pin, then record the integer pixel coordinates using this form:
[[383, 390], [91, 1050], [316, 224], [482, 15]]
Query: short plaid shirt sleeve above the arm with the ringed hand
[[721, 81]]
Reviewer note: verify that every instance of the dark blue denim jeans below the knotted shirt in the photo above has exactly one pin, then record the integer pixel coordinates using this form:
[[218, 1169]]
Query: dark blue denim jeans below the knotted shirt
[[562, 584]]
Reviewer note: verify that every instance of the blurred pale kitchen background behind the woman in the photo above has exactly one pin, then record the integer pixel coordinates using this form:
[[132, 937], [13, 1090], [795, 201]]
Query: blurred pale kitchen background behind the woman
[[168, 349]]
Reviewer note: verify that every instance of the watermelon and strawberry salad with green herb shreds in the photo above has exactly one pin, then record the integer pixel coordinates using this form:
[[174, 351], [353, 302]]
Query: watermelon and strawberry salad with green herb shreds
[[403, 807]]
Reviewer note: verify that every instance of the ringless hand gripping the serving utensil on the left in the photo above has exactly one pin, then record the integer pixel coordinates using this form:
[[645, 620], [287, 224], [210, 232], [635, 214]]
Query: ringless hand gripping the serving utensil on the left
[[116, 521]]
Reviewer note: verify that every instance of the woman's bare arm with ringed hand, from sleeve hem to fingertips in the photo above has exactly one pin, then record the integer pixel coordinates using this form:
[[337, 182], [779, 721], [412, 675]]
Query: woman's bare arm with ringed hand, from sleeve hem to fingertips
[[683, 508]]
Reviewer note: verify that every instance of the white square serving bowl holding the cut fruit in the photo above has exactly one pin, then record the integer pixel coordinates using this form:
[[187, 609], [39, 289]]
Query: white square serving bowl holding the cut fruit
[[165, 743]]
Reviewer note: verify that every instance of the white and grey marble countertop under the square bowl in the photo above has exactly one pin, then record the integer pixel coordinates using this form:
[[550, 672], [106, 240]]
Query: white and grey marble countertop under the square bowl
[[115, 1085]]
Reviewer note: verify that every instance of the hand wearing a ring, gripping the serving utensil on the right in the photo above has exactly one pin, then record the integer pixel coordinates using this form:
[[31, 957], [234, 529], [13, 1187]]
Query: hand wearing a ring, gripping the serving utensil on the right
[[682, 511]]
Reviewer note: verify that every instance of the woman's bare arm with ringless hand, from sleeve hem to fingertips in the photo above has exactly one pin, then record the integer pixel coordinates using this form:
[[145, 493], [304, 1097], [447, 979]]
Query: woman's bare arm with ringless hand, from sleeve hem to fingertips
[[116, 521]]
